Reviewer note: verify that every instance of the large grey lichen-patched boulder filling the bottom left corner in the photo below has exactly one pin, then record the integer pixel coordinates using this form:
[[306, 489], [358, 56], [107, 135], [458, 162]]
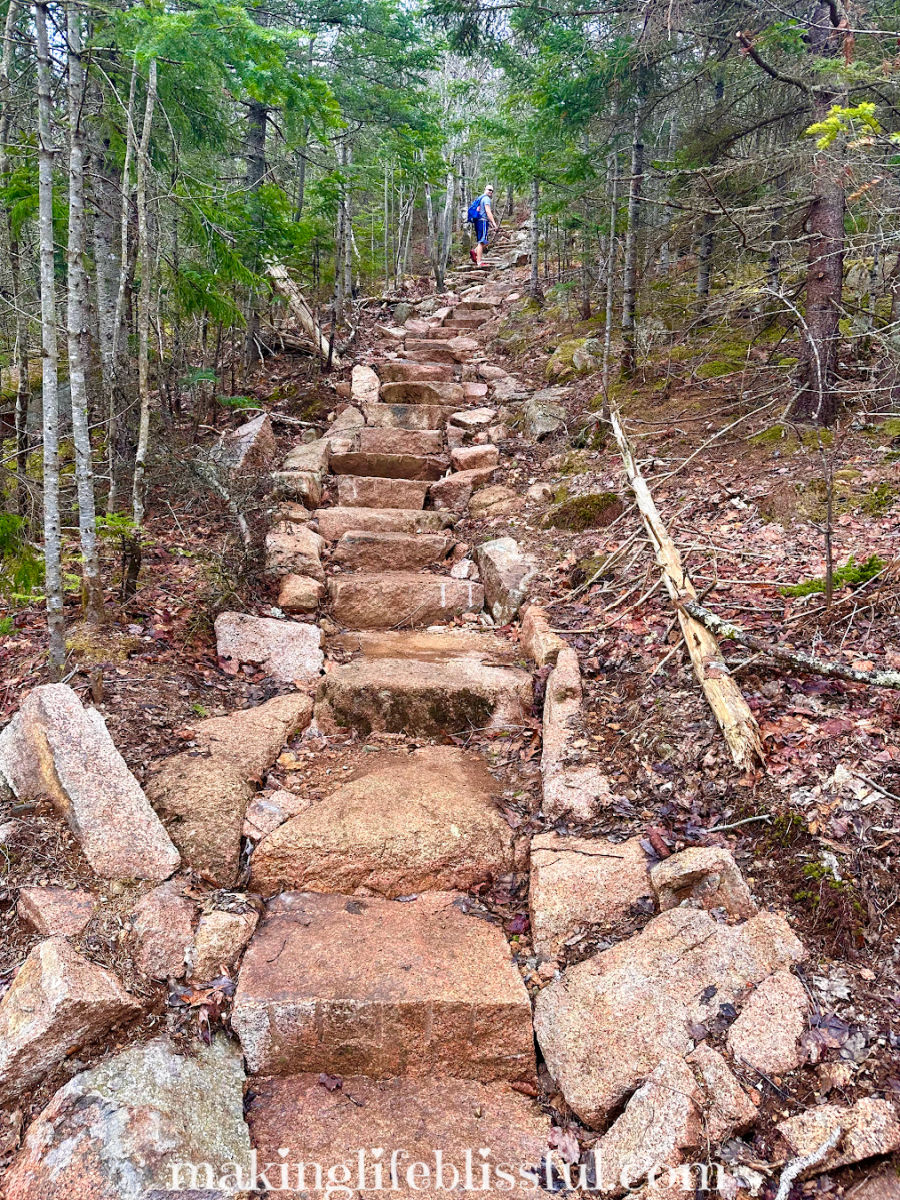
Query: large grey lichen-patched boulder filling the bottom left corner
[[130, 1129]]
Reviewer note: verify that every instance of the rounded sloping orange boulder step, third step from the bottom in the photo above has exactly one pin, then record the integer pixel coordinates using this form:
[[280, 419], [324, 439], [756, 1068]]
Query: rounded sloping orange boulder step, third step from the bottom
[[423, 824]]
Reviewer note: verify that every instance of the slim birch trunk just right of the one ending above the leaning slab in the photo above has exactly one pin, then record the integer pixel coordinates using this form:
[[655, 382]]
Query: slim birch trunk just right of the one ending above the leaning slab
[[77, 322]]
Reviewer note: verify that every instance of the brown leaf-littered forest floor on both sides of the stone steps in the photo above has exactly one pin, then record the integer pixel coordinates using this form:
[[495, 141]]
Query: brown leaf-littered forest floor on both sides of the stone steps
[[815, 832]]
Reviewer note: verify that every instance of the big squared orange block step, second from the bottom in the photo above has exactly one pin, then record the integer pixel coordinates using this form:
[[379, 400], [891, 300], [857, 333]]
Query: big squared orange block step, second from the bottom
[[363, 987]]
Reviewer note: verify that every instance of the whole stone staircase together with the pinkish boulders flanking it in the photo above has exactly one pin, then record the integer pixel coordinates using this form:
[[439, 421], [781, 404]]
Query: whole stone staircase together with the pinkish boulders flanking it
[[387, 1028]]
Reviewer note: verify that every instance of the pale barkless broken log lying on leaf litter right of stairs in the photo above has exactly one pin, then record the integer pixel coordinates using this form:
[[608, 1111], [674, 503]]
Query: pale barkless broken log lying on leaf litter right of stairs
[[723, 695]]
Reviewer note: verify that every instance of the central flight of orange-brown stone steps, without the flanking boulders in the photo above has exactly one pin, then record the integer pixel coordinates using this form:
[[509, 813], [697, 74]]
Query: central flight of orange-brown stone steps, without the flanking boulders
[[399, 991]]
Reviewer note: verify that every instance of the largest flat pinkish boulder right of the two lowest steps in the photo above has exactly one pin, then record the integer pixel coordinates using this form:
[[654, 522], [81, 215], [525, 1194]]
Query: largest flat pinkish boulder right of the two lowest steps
[[609, 1022]]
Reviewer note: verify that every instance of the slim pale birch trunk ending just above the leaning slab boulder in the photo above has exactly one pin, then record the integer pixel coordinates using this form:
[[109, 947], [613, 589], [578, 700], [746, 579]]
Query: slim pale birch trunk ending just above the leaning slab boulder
[[50, 397]]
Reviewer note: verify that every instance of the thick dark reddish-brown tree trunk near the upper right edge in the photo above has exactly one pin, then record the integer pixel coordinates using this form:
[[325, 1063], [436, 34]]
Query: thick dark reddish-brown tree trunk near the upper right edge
[[825, 272]]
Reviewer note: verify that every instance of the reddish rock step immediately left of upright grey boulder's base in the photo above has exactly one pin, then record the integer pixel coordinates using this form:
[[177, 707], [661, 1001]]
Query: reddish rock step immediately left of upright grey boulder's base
[[387, 601]]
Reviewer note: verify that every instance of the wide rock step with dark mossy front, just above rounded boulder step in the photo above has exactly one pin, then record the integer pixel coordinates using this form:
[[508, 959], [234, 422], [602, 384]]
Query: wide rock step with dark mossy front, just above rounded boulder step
[[423, 698]]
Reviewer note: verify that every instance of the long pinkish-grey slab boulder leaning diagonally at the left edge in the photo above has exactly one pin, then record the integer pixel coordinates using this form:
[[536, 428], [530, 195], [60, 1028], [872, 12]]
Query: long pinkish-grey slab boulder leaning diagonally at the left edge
[[57, 748]]
